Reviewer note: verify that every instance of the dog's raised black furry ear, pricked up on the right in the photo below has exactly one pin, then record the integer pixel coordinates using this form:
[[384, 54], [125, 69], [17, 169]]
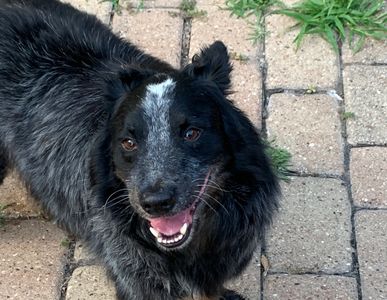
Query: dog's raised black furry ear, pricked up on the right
[[213, 64]]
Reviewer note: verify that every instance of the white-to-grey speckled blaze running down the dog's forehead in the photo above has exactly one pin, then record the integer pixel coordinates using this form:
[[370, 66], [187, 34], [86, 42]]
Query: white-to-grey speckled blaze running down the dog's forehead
[[156, 105]]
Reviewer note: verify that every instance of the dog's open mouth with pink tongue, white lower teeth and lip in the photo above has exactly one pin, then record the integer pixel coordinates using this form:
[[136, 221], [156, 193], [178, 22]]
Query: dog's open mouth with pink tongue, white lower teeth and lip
[[174, 231]]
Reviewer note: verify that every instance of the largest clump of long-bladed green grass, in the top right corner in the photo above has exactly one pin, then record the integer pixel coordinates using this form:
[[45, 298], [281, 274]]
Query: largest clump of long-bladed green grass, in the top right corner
[[339, 20]]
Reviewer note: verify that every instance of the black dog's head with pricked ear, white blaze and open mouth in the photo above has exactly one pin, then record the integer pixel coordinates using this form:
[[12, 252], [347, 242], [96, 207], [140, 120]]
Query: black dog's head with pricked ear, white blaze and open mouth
[[177, 141]]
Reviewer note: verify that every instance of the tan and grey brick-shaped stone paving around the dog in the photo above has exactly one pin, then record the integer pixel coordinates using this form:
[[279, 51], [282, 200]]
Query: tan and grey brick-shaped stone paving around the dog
[[329, 110]]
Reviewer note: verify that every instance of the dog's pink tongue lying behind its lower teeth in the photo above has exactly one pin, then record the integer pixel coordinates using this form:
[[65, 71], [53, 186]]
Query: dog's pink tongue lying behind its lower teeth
[[171, 225]]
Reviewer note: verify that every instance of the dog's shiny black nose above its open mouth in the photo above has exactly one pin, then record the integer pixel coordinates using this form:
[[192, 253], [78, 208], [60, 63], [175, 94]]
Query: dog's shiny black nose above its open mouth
[[159, 202]]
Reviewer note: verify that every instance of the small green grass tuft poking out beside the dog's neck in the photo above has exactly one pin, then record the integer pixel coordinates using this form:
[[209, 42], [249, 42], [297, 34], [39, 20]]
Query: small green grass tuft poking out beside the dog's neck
[[280, 159]]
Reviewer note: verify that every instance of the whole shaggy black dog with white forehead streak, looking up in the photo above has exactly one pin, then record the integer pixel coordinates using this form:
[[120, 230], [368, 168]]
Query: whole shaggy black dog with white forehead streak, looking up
[[153, 167]]
